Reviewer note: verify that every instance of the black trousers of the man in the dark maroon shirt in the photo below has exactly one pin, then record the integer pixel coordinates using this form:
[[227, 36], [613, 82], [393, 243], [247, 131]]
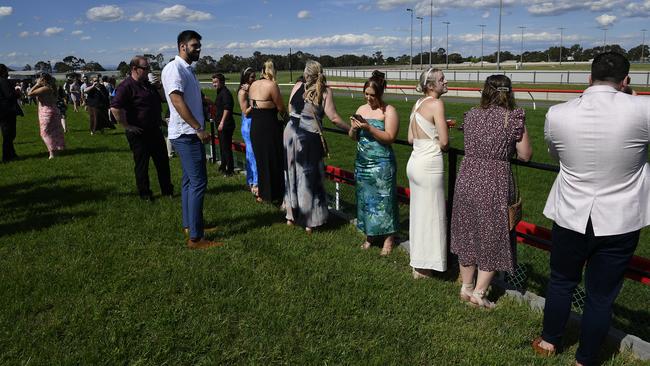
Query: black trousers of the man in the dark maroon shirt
[[150, 143]]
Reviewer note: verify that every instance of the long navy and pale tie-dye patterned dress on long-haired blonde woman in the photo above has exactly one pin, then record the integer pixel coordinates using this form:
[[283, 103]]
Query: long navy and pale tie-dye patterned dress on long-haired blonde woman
[[305, 198]]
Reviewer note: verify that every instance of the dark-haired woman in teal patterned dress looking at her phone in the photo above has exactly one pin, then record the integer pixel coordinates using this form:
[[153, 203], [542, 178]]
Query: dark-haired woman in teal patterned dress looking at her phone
[[375, 126]]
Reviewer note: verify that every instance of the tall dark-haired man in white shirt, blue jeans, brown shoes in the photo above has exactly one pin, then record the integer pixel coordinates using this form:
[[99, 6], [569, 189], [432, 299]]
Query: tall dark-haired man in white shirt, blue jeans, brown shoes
[[187, 133]]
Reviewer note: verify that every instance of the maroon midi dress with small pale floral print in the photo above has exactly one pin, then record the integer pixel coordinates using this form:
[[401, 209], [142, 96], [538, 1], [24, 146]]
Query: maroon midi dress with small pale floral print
[[480, 232]]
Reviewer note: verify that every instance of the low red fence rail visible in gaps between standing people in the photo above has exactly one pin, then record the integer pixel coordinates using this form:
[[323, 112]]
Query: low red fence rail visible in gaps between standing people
[[527, 233]]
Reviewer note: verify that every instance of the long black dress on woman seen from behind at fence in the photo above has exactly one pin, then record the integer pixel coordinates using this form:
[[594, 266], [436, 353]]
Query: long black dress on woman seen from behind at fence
[[266, 138]]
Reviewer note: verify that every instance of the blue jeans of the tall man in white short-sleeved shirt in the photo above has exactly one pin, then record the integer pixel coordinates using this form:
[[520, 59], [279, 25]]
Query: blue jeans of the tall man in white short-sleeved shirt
[[194, 183]]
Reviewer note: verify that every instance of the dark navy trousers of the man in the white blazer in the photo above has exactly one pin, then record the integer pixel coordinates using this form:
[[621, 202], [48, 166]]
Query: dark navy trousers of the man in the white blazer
[[607, 258]]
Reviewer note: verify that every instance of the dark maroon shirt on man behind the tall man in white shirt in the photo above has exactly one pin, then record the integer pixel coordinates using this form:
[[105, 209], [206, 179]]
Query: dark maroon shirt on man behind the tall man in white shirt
[[141, 101]]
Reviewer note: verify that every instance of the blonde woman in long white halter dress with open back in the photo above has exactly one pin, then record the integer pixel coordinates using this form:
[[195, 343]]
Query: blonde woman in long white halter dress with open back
[[429, 136]]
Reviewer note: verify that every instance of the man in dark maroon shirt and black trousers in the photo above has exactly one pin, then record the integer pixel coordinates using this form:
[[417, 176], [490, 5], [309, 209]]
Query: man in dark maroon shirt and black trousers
[[137, 107]]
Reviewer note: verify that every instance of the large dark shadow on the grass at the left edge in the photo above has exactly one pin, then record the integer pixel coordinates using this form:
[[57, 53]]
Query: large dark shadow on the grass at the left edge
[[36, 205]]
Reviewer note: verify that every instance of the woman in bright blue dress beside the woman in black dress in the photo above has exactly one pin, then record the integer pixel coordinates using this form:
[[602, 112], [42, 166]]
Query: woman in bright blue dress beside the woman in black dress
[[247, 78]]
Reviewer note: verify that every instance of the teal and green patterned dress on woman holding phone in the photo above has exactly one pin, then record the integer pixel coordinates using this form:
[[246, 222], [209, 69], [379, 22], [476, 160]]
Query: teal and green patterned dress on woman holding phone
[[376, 182]]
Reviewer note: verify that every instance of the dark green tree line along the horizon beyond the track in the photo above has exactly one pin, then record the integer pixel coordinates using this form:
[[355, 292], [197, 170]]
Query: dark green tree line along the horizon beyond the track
[[296, 61]]
